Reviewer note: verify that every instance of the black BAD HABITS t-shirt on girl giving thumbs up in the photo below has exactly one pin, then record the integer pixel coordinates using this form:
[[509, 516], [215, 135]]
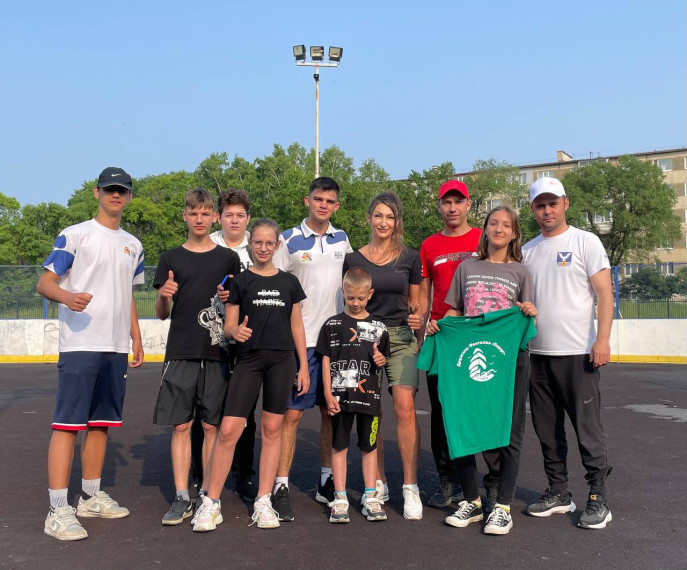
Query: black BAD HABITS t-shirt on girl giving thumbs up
[[268, 302]]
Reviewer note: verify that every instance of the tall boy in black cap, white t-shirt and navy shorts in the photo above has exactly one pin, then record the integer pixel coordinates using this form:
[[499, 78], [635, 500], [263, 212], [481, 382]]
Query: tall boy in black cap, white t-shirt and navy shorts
[[90, 272]]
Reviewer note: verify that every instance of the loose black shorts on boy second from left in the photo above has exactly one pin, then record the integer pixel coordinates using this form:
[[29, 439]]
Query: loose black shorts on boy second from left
[[189, 388]]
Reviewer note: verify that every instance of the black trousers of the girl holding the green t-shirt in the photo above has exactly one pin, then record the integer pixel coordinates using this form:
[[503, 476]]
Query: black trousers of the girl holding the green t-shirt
[[504, 462]]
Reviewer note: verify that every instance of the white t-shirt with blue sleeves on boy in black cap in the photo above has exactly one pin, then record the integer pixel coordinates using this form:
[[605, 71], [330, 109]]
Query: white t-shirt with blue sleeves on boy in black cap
[[90, 258]]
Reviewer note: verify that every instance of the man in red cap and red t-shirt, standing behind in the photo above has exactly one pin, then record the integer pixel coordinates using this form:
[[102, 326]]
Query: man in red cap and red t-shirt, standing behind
[[441, 254]]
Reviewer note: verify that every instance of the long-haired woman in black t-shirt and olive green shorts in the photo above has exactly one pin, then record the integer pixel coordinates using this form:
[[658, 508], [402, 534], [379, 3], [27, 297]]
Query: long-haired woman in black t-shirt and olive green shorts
[[396, 276]]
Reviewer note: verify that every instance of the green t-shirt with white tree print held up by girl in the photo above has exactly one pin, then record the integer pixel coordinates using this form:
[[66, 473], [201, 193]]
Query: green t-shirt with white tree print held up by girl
[[475, 359]]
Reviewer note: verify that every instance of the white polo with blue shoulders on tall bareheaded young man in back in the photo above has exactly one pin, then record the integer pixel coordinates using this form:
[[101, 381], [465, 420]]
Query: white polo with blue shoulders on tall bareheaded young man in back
[[317, 261]]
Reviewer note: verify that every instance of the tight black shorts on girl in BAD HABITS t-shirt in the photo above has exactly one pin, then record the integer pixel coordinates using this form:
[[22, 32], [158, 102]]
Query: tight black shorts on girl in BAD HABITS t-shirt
[[273, 370]]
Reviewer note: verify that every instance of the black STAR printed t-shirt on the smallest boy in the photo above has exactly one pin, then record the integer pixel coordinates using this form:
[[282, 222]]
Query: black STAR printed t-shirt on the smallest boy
[[349, 344]]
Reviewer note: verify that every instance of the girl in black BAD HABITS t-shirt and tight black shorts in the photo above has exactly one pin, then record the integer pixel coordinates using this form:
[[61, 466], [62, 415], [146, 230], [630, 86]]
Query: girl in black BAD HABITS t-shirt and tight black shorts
[[264, 317]]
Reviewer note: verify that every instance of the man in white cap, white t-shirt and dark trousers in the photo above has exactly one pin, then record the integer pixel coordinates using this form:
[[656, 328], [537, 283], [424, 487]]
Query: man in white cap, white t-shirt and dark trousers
[[570, 268]]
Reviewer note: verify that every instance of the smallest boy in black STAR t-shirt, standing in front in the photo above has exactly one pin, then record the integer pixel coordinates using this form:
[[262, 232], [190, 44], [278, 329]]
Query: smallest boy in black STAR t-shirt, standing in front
[[354, 349]]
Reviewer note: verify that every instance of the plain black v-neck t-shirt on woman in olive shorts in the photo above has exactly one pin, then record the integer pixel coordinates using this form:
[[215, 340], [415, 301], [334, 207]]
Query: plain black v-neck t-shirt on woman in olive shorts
[[389, 302]]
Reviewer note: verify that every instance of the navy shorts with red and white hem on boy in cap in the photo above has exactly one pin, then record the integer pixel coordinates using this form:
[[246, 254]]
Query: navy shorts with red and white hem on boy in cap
[[90, 390]]
